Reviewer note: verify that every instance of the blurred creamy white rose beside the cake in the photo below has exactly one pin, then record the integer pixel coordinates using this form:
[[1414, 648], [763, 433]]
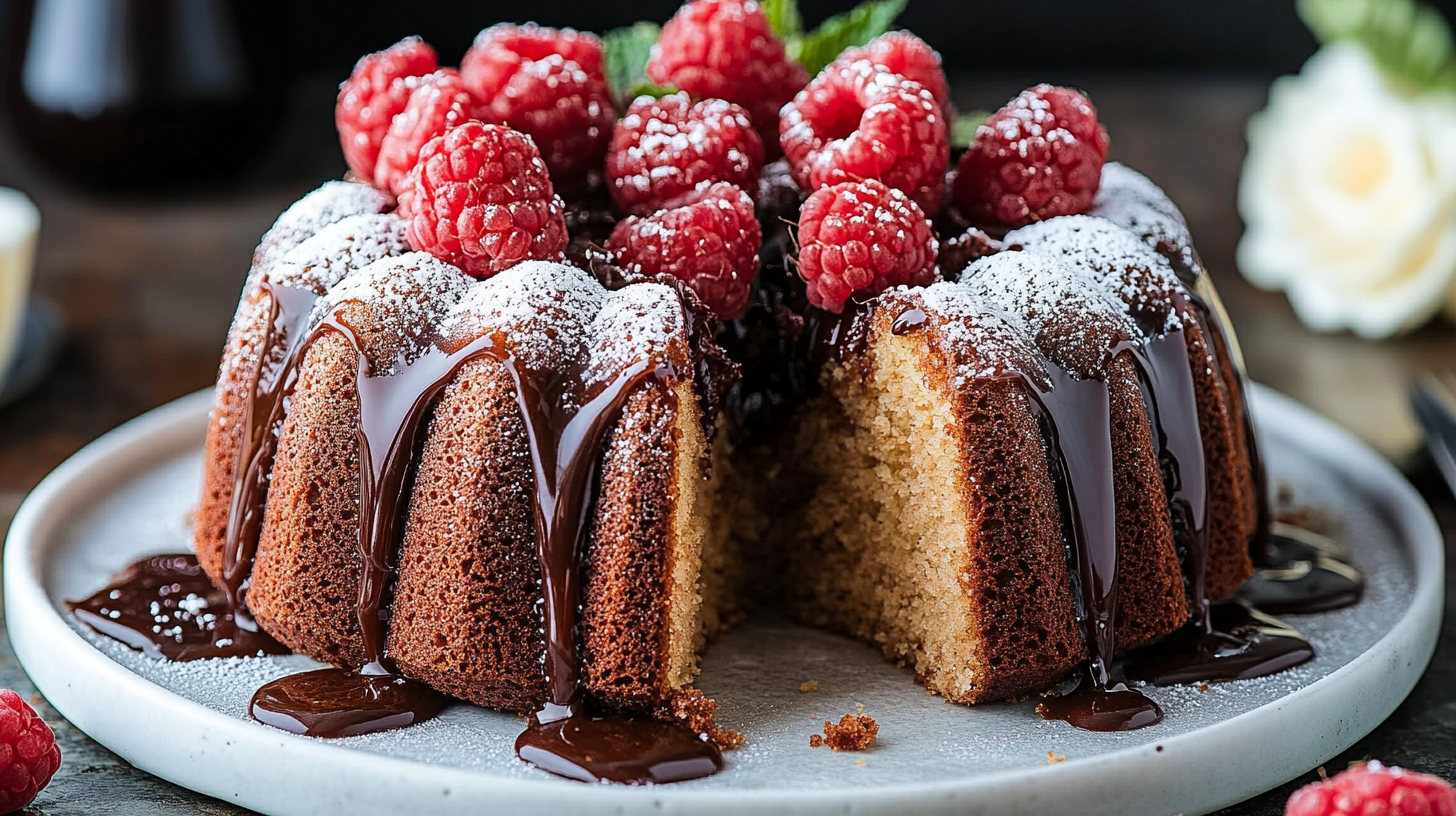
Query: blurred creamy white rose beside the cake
[[1349, 197]]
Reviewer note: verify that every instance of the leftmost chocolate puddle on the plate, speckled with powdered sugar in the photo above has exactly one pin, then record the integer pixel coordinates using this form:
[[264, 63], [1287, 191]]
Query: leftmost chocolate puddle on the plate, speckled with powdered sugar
[[167, 608]]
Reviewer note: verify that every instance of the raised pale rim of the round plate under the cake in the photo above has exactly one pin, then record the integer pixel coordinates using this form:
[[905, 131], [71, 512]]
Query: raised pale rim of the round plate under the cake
[[40, 635]]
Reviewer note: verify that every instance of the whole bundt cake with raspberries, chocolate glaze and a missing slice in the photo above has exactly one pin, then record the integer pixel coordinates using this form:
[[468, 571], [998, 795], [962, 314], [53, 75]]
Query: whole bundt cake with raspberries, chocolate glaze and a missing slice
[[1000, 445]]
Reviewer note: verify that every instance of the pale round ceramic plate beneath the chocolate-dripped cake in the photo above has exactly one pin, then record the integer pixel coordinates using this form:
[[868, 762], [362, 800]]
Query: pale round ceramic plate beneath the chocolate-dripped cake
[[129, 496]]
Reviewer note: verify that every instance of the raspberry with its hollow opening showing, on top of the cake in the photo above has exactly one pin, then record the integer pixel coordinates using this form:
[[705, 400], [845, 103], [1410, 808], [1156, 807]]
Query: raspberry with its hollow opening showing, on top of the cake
[[858, 122]]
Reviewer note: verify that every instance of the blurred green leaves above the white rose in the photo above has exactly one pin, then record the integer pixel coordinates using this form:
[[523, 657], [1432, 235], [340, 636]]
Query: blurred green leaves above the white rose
[[1407, 39]]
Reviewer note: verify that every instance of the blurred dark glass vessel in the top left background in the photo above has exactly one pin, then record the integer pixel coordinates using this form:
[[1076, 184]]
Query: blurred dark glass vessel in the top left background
[[143, 97]]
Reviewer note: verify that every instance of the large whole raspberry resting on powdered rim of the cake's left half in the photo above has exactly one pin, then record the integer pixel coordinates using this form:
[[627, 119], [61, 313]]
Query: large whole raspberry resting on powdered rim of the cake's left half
[[481, 199]]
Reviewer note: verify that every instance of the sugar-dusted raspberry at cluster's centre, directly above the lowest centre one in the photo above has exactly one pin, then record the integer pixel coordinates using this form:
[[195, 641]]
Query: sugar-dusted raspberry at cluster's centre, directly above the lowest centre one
[[666, 148]]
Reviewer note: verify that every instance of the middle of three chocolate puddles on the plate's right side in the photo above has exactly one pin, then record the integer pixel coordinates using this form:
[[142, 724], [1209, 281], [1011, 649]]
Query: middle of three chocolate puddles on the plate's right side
[[1237, 645]]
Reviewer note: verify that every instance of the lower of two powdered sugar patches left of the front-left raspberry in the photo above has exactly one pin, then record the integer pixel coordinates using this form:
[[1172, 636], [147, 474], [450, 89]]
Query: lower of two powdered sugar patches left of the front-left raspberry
[[339, 250]]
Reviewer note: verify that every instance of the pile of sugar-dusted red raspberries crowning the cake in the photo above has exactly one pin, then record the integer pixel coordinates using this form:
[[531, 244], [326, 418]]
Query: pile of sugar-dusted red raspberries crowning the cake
[[477, 157]]
